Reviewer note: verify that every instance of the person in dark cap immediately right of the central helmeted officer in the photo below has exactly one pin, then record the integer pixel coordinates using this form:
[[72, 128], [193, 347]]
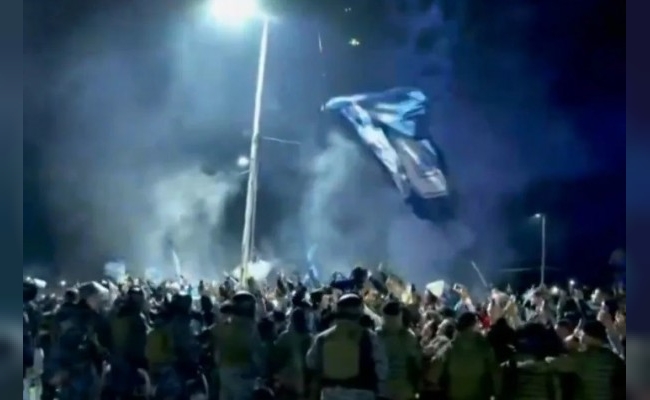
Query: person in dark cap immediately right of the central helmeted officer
[[403, 353]]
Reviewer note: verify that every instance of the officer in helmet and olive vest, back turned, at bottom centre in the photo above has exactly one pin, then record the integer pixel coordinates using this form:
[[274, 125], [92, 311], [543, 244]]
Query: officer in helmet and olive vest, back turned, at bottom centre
[[346, 360]]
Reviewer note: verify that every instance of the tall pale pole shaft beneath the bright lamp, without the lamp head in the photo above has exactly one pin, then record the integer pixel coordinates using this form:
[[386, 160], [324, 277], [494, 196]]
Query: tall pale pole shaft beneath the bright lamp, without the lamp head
[[251, 187]]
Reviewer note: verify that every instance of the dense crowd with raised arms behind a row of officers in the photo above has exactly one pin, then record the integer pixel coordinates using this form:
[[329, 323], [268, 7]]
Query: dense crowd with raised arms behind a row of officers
[[368, 335]]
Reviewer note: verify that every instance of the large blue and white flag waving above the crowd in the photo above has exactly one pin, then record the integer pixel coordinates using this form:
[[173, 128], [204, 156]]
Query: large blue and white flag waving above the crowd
[[386, 123]]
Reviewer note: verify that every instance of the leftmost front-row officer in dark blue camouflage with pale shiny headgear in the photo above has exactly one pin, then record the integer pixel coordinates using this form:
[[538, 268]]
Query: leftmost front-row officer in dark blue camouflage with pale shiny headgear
[[77, 354]]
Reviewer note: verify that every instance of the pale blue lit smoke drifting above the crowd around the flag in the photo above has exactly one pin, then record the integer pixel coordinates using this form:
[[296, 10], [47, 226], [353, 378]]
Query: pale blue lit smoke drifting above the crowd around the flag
[[150, 123]]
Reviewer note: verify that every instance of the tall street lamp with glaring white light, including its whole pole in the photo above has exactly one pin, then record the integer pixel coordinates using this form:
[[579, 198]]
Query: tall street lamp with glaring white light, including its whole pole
[[236, 13]]
